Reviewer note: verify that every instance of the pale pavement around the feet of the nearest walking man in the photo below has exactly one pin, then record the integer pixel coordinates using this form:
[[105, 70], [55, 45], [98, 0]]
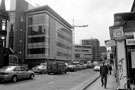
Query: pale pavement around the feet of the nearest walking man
[[96, 85]]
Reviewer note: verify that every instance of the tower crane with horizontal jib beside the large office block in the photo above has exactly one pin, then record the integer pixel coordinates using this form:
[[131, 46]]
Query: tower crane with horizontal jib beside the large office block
[[73, 31]]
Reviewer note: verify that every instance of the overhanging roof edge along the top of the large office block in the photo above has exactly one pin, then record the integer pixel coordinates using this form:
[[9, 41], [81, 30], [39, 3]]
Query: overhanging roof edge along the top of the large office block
[[50, 10]]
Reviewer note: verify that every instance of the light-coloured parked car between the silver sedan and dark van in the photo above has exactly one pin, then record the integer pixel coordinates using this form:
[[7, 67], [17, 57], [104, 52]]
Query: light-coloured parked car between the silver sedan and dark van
[[42, 69]]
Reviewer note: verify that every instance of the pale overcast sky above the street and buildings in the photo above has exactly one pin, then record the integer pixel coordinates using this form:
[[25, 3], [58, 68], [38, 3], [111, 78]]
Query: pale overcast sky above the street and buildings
[[97, 14]]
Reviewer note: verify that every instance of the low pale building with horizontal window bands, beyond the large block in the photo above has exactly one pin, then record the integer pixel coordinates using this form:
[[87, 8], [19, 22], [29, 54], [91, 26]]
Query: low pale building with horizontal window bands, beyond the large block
[[83, 53]]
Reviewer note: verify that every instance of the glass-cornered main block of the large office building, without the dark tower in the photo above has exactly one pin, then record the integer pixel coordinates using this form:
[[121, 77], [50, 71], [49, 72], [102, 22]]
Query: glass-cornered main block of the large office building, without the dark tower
[[47, 37]]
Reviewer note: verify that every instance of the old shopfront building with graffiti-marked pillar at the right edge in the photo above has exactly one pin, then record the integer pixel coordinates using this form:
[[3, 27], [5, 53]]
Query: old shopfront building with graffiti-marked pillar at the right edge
[[123, 33]]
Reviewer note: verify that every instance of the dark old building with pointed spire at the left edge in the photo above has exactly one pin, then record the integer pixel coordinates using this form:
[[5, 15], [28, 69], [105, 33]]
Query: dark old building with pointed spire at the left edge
[[3, 34]]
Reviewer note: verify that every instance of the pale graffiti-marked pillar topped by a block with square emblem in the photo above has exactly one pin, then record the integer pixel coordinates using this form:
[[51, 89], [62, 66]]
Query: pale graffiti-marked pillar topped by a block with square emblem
[[119, 37]]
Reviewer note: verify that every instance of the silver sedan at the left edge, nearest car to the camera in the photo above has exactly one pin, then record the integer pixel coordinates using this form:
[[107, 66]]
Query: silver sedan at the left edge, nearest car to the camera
[[15, 73]]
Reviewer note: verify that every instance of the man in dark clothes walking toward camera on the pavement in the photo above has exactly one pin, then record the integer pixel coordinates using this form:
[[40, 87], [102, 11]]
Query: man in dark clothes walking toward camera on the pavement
[[103, 74]]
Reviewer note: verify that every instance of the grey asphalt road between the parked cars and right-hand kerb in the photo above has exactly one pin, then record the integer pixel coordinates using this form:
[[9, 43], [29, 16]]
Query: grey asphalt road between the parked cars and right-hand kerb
[[51, 82]]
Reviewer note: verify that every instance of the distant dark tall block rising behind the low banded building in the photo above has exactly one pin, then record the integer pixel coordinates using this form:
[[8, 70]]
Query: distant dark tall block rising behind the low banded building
[[95, 47]]
